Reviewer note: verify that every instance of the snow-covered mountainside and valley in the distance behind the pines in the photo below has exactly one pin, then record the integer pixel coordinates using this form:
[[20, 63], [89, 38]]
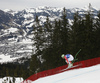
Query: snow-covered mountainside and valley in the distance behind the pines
[[16, 29]]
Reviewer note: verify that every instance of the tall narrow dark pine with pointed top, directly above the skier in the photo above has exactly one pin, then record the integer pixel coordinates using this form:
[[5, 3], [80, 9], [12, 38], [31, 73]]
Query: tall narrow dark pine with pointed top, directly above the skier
[[64, 32]]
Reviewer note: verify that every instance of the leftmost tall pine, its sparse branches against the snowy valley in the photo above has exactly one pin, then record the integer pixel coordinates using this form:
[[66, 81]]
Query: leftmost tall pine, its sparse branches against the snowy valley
[[37, 29]]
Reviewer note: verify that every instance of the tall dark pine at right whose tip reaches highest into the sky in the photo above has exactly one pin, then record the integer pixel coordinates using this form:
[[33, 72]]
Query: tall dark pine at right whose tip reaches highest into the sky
[[89, 34]]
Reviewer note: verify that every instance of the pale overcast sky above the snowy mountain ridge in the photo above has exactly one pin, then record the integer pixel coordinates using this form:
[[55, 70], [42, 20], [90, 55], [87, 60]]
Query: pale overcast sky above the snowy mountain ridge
[[22, 4]]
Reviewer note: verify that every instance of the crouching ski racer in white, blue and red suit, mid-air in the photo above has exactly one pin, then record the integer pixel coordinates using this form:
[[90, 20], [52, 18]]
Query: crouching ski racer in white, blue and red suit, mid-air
[[68, 58]]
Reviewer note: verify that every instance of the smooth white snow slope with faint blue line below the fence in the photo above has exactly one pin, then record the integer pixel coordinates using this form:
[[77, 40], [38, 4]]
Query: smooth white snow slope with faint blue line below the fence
[[82, 75]]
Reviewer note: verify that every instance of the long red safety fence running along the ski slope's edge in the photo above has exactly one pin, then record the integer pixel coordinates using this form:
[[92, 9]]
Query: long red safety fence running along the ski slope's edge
[[80, 64]]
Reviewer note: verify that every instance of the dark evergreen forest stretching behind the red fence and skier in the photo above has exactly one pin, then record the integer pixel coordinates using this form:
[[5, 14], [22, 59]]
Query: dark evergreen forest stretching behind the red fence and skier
[[59, 37]]
